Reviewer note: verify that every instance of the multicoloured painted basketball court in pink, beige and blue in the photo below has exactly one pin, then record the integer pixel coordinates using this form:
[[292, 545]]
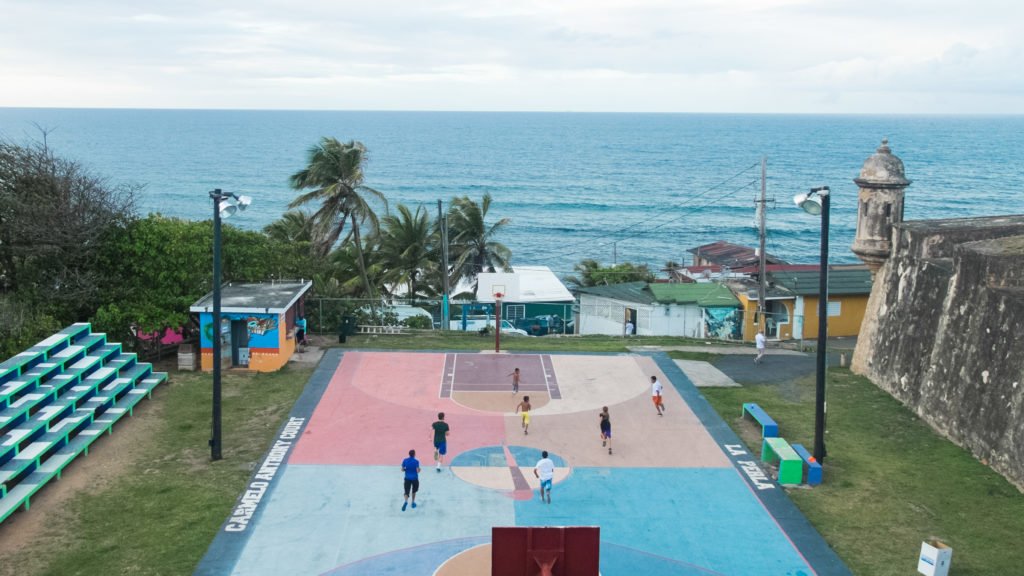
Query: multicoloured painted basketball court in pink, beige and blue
[[671, 500]]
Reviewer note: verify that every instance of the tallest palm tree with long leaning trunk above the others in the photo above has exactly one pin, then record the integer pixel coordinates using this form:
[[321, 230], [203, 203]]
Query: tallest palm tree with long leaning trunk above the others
[[335, 175]]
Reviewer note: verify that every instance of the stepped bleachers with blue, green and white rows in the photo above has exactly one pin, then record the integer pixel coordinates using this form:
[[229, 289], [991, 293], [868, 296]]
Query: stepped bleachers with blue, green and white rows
[[56, 400]]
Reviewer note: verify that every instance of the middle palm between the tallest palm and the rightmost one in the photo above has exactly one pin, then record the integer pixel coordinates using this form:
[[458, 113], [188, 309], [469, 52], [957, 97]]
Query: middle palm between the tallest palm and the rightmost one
[[409, 246]]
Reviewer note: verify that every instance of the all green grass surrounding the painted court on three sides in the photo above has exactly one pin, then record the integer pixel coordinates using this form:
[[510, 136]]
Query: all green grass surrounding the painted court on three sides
[[889, 481]]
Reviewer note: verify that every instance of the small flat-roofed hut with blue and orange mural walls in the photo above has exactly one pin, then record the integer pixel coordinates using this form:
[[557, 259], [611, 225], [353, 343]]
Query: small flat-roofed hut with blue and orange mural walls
[[258, 324]]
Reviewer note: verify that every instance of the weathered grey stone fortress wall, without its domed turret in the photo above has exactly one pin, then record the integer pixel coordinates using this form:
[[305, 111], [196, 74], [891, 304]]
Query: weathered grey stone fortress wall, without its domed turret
[[945, 333]]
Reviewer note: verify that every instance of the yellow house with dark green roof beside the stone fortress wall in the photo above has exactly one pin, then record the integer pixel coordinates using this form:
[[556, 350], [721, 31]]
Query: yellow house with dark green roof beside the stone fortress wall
[[792, 303]]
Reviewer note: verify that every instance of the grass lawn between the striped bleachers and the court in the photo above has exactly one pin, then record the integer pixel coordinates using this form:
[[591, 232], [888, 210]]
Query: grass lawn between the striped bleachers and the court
[[163, 507]]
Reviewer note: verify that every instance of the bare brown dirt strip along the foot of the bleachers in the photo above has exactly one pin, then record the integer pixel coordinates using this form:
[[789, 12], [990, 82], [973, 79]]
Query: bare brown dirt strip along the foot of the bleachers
[[53, 507]]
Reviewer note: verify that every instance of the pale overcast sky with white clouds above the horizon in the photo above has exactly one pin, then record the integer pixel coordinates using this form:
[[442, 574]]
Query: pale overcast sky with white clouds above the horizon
[[586, 56]]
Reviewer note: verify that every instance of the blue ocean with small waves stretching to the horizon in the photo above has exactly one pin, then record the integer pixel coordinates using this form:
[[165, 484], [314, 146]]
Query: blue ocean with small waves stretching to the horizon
[[638, 188]]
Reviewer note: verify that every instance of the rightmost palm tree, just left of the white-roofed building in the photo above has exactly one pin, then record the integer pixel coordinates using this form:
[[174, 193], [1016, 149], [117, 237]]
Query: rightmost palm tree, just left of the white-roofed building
[[473, 240]]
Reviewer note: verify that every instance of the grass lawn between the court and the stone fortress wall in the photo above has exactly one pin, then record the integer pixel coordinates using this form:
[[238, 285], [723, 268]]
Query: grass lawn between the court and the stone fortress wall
[[889, 481]]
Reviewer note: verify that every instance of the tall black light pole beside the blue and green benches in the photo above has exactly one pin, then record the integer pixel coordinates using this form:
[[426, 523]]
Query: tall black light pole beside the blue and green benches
[[818, 202]]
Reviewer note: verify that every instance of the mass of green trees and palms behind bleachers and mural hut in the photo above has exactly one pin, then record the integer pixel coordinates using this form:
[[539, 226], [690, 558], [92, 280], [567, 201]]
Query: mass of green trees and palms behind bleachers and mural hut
[[73, 250]]
